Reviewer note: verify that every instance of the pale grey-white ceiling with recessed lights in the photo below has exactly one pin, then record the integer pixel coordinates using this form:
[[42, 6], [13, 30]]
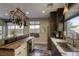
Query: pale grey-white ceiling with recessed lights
[[34, 9]]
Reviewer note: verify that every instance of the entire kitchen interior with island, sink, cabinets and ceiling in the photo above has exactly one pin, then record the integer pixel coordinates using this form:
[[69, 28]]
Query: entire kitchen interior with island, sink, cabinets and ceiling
[[39, 29]]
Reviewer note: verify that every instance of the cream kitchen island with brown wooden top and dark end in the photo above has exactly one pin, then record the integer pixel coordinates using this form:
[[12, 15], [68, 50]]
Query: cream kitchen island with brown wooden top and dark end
[[17, 48]]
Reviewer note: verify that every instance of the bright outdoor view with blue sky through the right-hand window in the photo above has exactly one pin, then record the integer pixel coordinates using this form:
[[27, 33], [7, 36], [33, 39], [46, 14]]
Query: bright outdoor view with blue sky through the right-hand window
[[73, 26]]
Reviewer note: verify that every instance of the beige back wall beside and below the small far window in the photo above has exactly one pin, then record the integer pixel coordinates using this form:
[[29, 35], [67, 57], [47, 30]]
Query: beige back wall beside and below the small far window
[[44, 24]]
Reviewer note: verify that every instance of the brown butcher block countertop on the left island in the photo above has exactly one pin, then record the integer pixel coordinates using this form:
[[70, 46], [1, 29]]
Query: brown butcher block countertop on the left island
[[14, 45]]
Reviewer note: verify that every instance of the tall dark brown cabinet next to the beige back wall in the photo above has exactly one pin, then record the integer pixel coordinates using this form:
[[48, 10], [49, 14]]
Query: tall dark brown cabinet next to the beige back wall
[[53, 23]]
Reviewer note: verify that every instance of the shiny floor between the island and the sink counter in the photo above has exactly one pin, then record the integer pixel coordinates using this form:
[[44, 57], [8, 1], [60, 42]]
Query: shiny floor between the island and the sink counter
[[40, 50]]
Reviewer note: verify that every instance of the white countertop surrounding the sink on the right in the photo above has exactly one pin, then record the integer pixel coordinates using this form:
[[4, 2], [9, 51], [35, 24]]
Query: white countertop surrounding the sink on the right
[[63, 53]]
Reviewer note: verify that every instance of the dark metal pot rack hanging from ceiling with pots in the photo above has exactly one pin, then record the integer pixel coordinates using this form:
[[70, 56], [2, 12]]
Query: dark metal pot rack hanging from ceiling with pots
[[18, 17]]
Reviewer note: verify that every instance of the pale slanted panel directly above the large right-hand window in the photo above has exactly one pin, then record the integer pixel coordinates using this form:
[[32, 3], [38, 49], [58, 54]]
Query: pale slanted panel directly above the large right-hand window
[[72, 12]]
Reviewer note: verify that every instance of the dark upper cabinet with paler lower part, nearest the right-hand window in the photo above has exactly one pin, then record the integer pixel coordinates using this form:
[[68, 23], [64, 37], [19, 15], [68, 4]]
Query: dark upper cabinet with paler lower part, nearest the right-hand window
[[60, 19]]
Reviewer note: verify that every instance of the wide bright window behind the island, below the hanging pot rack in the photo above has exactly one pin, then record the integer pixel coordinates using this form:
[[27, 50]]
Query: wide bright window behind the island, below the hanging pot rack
[[14, 29]]
